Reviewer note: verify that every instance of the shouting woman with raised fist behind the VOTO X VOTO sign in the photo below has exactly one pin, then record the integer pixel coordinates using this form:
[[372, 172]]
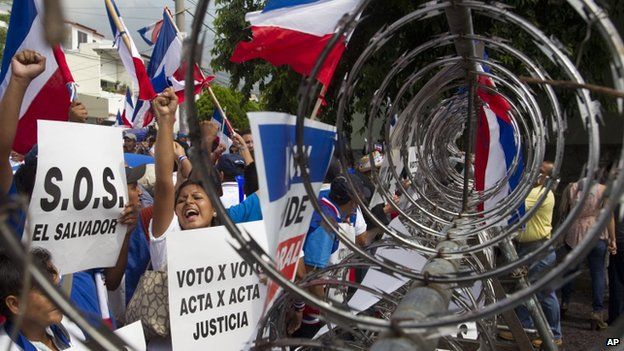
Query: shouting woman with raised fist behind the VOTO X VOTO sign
[[187, 208]]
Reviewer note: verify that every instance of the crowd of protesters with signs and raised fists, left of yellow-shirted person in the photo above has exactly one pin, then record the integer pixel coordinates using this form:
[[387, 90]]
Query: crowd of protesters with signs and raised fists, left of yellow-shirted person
[[164, 197]]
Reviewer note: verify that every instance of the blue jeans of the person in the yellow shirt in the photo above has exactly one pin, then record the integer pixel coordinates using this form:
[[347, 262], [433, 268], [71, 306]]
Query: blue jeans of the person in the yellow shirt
[[547, 297]]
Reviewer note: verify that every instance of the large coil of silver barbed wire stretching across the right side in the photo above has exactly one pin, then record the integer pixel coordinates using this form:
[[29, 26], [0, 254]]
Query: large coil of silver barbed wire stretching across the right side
[[442, 209]]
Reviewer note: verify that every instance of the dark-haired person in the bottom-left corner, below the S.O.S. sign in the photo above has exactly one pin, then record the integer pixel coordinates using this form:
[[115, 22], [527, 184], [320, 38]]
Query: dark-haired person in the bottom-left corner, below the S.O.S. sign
[[43, 326]]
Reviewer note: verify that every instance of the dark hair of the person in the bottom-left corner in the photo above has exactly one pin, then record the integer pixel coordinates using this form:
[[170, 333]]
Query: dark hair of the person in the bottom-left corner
[[12, 274]]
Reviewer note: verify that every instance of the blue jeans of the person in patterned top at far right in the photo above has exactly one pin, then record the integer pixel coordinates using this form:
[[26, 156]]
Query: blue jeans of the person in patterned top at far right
[[595, 260]]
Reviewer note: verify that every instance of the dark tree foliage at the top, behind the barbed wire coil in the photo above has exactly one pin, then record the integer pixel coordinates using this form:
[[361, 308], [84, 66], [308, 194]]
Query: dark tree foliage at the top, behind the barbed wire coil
[[279, 84]]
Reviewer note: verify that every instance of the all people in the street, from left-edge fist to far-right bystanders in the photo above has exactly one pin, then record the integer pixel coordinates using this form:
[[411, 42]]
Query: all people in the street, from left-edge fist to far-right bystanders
[[168, 196]]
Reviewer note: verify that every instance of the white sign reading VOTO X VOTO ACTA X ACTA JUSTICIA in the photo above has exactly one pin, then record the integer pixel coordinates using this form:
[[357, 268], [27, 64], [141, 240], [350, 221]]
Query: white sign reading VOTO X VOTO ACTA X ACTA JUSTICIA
[[215, 298]]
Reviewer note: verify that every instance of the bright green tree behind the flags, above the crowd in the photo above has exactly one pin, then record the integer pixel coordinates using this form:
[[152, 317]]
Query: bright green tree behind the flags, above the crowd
[[233, 102]]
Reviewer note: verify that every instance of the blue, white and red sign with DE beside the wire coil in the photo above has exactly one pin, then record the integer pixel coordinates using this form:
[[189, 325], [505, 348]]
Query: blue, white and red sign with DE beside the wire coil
[[286, 206]]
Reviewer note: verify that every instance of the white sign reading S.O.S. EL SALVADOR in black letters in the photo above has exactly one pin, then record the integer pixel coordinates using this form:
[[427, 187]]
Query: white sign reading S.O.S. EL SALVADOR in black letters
[[79, 194]]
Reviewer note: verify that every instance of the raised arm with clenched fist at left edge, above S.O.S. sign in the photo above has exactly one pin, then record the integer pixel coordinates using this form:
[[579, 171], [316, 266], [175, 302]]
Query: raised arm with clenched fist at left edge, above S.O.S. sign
[[25, 67]]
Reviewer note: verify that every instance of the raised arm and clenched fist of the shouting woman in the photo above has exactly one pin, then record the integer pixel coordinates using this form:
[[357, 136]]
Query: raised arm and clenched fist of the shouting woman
[[165, 106]]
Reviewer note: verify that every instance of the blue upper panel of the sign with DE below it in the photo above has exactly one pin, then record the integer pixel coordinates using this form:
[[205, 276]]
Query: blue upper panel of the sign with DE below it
[[279, 148]]
